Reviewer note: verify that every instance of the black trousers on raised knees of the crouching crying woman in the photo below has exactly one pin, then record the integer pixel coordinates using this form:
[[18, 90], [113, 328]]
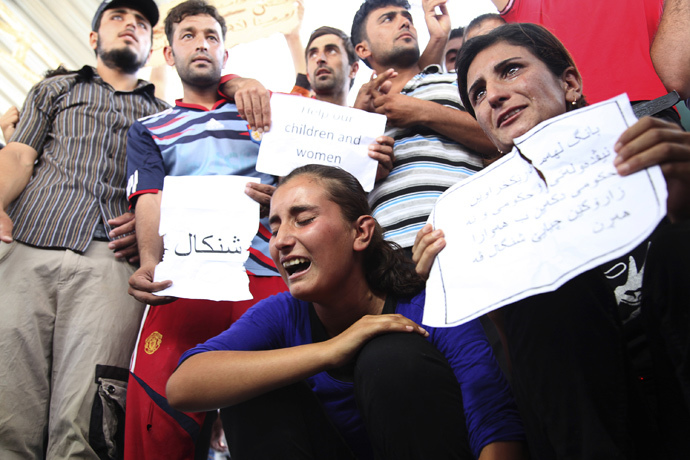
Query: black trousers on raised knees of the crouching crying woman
[[407, 394]]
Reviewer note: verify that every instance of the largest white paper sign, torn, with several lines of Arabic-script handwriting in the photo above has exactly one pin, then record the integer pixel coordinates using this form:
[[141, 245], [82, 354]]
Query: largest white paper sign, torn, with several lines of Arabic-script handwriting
[[552, 209]]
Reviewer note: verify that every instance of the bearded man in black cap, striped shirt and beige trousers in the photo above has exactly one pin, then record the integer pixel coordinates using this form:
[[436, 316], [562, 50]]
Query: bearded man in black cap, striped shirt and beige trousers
[[69, 325]]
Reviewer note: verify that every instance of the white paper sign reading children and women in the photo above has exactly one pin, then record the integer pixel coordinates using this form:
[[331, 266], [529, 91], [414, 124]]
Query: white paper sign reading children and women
[[305, 131]]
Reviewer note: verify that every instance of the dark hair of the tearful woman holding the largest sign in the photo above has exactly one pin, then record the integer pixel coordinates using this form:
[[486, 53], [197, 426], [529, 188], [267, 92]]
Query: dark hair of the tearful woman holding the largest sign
[[539, 41]]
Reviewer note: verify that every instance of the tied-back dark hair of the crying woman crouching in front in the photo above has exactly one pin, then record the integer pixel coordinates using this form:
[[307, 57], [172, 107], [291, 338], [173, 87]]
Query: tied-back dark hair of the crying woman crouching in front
[[386, 268]]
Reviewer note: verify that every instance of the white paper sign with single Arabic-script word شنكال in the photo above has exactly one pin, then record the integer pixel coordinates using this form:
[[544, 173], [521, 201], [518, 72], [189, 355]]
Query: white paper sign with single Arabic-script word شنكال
[[207, 224]]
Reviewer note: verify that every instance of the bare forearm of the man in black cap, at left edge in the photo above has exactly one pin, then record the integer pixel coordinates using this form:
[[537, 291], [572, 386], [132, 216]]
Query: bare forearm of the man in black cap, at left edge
[[16, 166]]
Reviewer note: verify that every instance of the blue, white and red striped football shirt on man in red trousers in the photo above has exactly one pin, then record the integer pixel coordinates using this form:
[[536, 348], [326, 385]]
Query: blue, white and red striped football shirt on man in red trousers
[[189, 140]]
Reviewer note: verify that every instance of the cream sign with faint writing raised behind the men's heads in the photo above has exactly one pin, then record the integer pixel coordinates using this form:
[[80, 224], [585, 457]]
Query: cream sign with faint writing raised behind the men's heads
[[246, 20]]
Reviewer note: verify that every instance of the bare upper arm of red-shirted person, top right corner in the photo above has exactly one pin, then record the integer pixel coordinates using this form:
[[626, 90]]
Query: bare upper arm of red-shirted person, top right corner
[[670, 51]]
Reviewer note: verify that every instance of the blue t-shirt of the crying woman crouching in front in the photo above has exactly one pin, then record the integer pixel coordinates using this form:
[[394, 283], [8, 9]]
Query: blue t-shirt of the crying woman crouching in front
[[281, 321]]
